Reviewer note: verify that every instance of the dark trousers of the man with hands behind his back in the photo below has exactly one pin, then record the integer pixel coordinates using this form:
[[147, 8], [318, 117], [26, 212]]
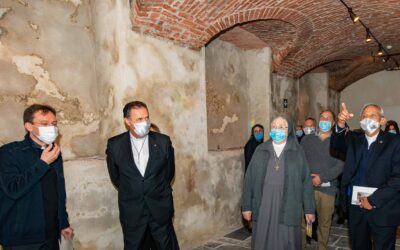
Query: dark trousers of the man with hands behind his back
[[164, 235]]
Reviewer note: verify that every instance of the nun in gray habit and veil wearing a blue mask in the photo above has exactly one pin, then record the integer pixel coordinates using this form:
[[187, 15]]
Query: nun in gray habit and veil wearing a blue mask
[[277, 187]]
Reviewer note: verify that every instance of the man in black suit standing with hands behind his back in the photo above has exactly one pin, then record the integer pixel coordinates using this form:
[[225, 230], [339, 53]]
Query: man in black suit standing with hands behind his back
[[141, 166]]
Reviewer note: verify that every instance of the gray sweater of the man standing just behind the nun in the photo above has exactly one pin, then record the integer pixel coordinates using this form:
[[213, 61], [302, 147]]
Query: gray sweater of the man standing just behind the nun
[[321, 161]]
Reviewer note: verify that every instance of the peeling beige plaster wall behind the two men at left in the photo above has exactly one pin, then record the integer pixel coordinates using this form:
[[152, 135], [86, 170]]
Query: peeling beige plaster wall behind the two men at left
[[83, 58]]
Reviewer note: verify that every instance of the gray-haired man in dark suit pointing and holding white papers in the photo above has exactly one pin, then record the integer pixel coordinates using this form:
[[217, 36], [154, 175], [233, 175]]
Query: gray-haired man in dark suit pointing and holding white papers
[[372, 160]]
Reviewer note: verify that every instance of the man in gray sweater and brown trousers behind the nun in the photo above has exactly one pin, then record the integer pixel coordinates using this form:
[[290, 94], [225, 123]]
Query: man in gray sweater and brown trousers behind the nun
[[325, 169]]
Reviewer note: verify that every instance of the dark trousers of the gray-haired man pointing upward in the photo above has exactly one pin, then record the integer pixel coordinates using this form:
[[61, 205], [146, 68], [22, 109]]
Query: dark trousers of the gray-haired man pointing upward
[[364, 233]]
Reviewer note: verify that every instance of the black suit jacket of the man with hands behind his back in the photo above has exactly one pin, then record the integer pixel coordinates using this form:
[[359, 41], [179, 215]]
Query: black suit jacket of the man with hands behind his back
[[136, 192]]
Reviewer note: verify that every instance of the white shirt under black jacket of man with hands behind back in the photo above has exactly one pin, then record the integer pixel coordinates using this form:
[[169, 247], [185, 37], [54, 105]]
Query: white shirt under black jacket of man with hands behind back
[[140, 151]]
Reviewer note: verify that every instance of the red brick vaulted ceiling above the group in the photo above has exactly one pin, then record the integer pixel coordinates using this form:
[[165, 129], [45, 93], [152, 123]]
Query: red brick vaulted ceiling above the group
[[303, 34]]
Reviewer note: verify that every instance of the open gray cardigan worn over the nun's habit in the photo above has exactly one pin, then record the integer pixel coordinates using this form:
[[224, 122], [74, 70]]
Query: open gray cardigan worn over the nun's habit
[[297, 188]]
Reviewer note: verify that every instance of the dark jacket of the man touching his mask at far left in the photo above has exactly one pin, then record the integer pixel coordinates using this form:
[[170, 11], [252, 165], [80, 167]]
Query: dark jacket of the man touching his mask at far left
[[22, 218]]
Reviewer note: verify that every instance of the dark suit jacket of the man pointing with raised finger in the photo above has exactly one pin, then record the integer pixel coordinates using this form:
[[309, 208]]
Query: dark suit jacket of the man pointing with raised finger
[[382, 171]]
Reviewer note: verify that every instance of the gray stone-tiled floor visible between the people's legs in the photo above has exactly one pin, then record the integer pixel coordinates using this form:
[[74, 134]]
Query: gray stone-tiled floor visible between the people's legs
[[240, 239]]
